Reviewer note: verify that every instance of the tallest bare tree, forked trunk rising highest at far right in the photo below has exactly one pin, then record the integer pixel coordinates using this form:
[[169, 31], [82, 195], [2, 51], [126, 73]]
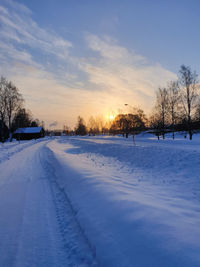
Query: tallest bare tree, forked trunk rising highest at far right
[[189, 93]]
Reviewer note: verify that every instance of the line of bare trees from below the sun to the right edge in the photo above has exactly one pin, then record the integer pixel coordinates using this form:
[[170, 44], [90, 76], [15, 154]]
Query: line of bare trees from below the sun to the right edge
[[177, 108]]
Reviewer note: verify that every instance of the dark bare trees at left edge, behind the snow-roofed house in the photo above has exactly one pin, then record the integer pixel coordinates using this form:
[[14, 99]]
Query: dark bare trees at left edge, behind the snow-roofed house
[[13, 115]]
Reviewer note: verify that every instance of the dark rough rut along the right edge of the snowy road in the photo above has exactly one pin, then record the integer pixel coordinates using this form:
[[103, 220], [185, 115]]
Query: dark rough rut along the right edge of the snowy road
[[78, 249]]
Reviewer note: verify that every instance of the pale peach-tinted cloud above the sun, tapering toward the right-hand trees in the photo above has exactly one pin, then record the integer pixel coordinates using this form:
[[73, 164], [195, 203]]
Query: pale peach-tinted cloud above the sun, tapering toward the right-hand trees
[[122, 71]]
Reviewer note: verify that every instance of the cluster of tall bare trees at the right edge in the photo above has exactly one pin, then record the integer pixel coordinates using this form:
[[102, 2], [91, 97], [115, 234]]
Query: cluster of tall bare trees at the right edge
[[177, 106]]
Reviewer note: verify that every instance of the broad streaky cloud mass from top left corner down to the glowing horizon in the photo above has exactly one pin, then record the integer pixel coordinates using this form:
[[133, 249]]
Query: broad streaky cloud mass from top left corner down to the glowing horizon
[[63, 86]]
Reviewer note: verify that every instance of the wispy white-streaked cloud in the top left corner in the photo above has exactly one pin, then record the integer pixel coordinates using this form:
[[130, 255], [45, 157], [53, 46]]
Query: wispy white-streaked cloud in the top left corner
[[17, 26]]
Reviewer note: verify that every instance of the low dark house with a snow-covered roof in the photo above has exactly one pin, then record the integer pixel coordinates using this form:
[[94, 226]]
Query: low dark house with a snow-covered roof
[[28, 133]]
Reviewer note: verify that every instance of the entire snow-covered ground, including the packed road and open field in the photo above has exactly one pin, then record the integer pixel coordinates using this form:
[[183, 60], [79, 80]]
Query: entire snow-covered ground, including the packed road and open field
[[100, 201]]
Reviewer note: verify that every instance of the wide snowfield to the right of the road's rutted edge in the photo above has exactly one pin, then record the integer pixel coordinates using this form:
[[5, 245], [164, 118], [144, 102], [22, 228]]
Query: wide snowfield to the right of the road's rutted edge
[[138, 205]]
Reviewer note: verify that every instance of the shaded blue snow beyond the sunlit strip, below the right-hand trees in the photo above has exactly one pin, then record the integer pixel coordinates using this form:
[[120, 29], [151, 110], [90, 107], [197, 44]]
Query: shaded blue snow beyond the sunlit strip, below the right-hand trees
[[171, 162]]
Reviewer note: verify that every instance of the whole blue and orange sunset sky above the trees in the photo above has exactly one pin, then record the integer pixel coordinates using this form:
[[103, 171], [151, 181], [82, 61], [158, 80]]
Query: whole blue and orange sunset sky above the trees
[[87, 57]]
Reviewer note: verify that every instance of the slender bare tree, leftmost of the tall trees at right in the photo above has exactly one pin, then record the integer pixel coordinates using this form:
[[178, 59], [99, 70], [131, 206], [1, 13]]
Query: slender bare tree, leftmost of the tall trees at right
[[162, 107]]
